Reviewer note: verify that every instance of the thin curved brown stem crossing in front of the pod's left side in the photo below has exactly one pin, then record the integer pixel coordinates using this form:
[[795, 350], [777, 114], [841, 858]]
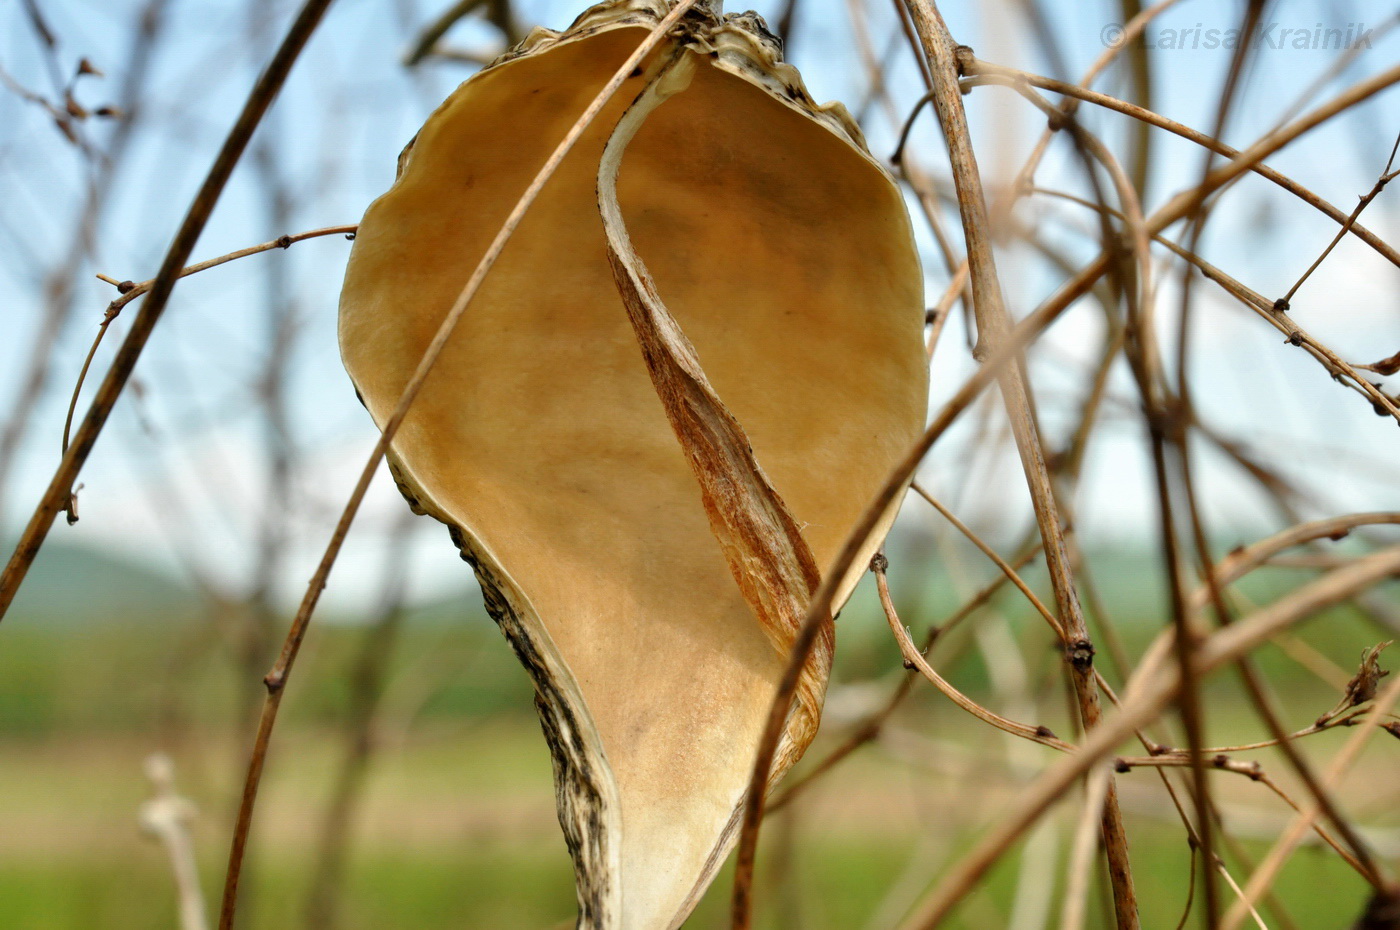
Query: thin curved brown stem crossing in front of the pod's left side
[[276, 680]]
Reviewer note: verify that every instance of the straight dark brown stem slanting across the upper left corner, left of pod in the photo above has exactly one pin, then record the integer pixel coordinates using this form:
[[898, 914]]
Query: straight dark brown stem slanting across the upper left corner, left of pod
[[61, 487]]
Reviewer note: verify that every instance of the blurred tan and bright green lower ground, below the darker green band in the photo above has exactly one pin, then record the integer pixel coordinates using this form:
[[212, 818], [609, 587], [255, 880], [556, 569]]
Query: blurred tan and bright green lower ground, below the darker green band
[[458, 833]]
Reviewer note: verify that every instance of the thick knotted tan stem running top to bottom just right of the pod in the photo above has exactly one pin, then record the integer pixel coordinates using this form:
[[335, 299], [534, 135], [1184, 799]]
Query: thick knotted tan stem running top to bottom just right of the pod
[[993, 324]]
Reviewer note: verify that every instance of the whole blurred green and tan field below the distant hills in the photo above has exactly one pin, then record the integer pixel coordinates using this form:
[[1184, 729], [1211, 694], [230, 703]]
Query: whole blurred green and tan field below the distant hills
[[457, 826]]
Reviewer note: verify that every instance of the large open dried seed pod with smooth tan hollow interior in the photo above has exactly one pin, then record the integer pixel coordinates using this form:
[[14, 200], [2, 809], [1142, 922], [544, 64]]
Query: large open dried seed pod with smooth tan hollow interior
[[611, 551]]
